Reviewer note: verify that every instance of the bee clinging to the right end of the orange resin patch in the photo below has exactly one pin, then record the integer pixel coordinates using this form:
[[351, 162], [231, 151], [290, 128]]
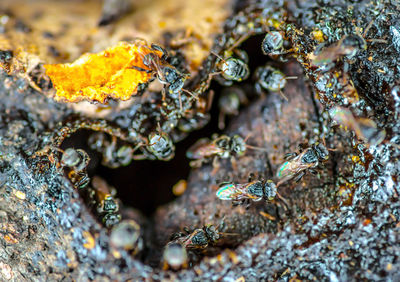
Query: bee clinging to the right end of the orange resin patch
[[165, 72]]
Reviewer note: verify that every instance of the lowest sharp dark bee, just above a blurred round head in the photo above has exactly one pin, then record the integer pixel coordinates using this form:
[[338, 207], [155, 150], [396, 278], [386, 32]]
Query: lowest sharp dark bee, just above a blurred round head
[[198, 239]]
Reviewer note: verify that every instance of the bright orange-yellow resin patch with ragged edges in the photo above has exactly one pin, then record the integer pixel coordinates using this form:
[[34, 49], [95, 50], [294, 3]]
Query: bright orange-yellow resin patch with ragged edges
[[95, 77]]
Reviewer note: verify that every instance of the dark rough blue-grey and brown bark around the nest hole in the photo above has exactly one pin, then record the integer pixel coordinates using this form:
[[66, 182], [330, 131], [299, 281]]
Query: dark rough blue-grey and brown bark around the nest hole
[[339, 225]]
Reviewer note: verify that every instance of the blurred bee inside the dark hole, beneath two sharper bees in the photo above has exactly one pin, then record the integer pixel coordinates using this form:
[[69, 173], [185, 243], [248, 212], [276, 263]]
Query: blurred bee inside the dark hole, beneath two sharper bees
[[229, 103]]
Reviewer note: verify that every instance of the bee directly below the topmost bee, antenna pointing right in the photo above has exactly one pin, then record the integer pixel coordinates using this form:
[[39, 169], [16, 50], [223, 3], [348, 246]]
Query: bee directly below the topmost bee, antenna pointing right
[[271, 79]]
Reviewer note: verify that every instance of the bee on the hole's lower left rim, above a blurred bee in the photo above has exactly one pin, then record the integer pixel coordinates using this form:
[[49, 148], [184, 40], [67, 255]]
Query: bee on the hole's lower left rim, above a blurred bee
[[105, 204]]
